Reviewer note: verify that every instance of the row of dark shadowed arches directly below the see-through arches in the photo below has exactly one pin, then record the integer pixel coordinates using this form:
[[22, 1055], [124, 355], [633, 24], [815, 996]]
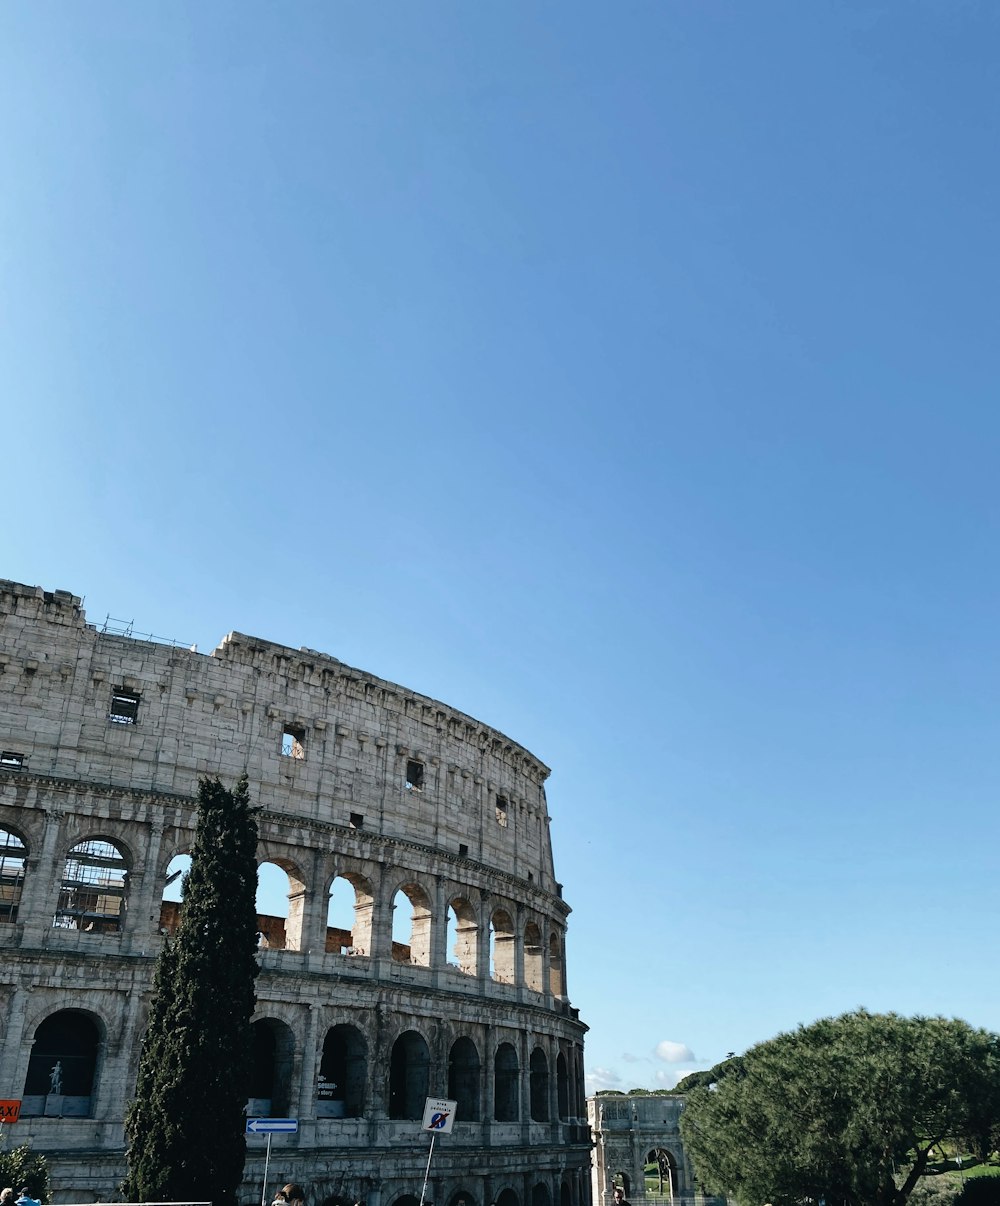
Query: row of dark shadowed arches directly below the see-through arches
[[63, 1072]]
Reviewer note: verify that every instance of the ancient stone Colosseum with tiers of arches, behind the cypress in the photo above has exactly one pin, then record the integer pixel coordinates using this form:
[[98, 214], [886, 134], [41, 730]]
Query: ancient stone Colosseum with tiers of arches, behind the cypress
[[417, 947]]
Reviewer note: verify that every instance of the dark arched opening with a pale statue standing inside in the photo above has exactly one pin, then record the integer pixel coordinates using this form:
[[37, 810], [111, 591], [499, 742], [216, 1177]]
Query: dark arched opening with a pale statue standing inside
[[62, 1069]]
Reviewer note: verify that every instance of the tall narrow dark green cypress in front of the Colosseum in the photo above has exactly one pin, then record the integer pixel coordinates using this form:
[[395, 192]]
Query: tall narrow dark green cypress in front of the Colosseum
[[186, 1127]]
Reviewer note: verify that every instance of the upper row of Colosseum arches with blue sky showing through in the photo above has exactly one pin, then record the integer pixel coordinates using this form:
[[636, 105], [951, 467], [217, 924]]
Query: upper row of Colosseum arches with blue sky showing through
[[476, 940]]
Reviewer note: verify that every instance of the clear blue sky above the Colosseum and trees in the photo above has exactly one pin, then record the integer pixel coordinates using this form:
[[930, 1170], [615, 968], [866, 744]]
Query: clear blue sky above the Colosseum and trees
[[625, 376]]
